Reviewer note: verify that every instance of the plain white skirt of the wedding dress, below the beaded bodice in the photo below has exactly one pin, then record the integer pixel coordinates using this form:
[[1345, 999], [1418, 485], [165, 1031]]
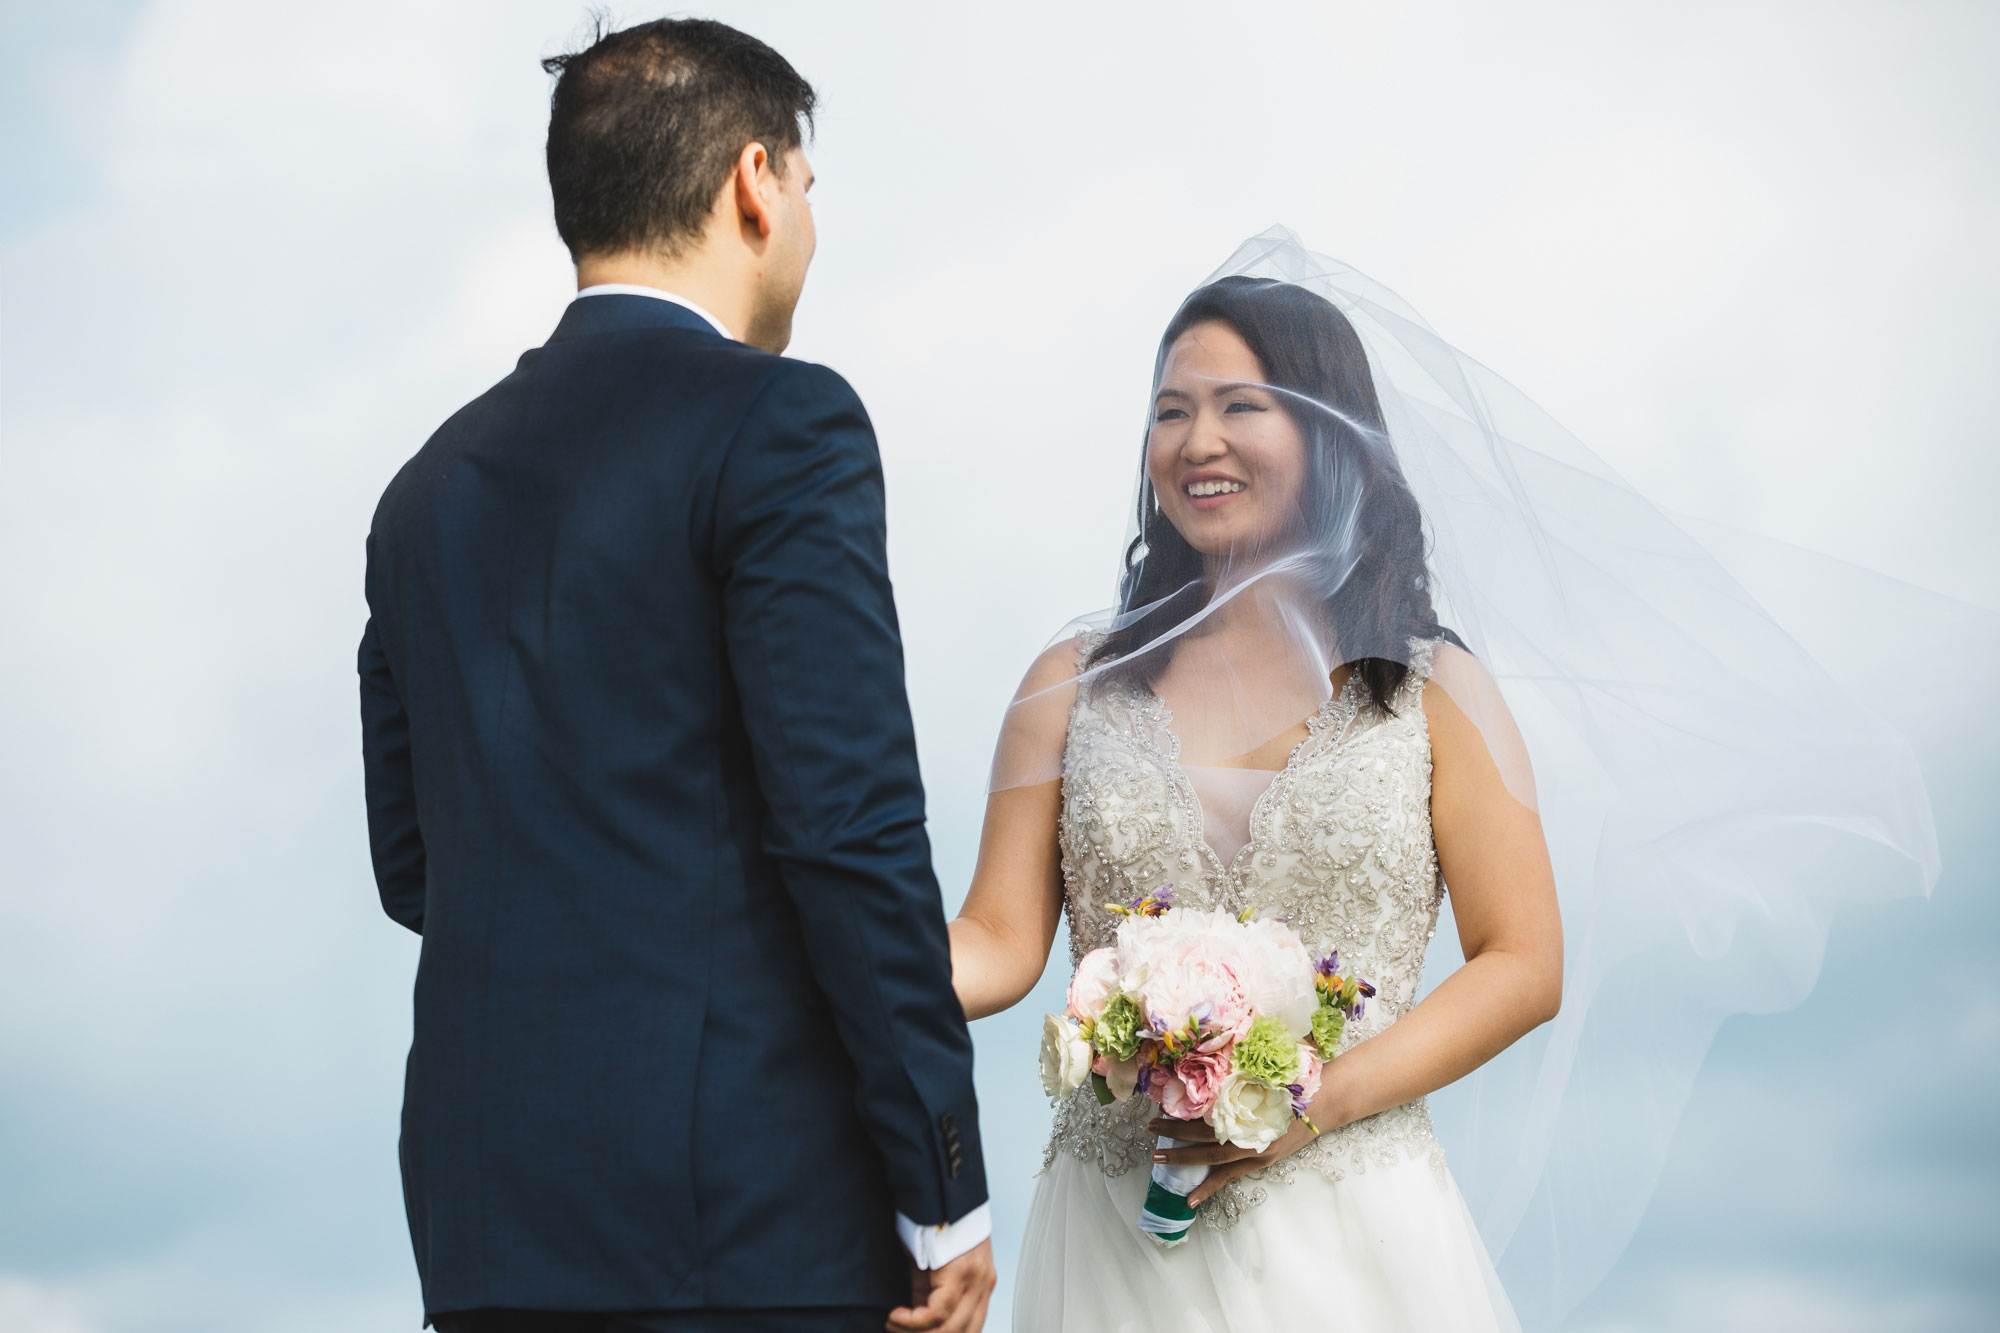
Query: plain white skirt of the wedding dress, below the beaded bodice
[[1389, 1250]]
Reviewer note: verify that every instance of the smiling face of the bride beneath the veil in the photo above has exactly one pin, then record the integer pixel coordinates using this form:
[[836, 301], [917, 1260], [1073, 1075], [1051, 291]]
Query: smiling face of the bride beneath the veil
[[1227, 461]]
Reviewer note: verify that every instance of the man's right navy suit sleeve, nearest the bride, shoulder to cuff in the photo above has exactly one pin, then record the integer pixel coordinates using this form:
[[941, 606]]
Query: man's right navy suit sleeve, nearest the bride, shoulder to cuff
[[811, 633]]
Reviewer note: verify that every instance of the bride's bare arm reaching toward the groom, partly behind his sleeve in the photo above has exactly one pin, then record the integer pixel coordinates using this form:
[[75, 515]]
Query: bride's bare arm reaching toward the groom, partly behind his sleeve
[[1007, 926]]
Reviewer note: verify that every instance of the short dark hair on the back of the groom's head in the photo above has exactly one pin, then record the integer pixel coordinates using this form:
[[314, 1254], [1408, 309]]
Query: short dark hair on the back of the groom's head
[[647, 123]]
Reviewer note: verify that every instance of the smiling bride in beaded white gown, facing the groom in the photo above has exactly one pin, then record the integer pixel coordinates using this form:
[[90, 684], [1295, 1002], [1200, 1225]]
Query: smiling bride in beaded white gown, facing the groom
[[1275, 722]]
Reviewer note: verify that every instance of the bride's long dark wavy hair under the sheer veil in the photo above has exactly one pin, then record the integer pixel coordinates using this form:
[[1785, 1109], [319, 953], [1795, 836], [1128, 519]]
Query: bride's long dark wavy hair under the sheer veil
[[1311, 349]]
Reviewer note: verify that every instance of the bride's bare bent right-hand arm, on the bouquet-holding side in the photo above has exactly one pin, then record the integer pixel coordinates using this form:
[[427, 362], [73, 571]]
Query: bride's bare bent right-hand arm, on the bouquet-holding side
[[1505, 902]]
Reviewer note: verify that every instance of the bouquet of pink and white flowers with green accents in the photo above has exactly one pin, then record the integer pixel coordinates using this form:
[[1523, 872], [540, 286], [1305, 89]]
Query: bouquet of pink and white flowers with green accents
[[1215, 1018]]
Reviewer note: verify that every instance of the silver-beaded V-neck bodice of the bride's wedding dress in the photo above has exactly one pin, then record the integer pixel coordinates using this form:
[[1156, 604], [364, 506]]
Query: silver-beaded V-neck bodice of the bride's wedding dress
[[1341, 846]]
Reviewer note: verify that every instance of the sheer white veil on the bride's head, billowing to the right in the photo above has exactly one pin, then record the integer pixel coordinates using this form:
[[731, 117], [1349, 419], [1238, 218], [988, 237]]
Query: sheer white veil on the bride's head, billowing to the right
[[1707, 786]]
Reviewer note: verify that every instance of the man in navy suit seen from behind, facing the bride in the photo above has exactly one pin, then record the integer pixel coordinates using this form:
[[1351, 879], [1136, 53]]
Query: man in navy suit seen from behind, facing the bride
[[641, 774]]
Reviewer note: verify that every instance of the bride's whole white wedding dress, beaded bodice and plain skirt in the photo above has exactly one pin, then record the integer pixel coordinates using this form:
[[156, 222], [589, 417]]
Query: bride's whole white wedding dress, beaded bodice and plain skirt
[[1365, 1226]]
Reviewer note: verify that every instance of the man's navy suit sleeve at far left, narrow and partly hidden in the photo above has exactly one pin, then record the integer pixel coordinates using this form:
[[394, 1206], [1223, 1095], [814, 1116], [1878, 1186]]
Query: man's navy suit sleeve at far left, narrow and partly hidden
[[395, 840]]
